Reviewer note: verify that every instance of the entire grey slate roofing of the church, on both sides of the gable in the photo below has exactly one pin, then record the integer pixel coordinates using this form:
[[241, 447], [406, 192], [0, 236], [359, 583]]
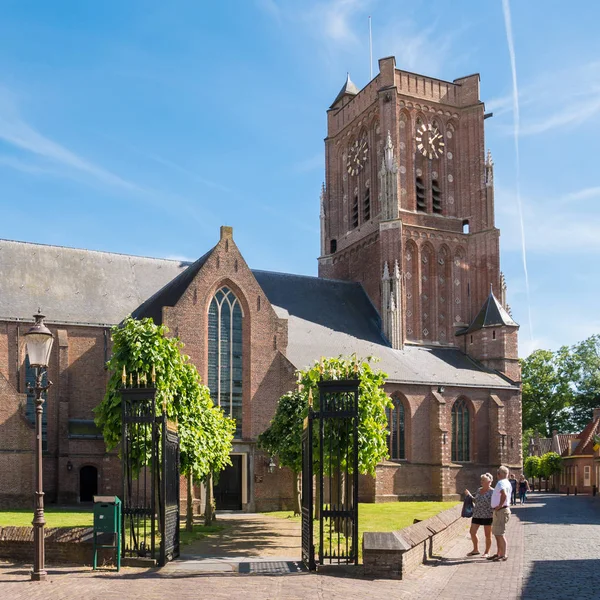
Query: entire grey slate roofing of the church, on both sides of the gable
[[325, 317]]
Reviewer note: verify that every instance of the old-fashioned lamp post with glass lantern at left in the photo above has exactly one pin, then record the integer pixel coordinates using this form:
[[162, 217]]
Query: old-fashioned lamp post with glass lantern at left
[[39, 341]]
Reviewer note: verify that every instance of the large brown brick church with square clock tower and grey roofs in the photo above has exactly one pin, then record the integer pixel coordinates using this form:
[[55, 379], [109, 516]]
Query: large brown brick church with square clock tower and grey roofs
[[408, 272]]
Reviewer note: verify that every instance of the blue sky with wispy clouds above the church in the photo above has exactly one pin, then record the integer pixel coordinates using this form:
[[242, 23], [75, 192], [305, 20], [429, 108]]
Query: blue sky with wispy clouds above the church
[[141, 126]]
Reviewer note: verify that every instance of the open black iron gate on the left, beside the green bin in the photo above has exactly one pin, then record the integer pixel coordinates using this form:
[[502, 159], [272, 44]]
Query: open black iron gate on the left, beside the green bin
[[150, 495]]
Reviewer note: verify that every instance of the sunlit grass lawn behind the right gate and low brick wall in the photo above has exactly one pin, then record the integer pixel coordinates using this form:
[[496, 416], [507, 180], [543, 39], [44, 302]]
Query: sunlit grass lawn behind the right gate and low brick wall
[[388, 516]]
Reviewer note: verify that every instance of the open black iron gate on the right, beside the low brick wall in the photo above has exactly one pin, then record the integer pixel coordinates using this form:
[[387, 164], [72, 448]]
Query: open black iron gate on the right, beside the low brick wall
[[337, 475]]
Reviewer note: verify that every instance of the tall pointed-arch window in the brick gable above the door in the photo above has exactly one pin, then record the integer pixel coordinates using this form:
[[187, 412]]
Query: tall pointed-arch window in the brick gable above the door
[[225, 354]]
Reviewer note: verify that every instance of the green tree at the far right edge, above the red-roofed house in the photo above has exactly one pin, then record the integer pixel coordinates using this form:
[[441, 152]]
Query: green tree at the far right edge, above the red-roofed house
[[583, 369]]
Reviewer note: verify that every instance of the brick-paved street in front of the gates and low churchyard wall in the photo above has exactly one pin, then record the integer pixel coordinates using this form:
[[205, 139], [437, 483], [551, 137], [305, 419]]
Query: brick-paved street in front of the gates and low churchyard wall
[[554, 547]]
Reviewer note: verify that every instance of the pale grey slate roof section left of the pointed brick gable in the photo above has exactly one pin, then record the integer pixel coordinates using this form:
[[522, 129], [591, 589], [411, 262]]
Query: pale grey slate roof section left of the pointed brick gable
[[77, 286]]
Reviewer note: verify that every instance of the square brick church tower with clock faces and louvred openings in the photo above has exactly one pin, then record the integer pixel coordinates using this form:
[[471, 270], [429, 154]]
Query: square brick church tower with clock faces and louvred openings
[[407, 207]]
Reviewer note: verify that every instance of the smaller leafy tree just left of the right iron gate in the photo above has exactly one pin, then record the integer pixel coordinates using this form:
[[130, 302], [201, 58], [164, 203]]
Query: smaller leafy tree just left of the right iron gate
[[284, 437]]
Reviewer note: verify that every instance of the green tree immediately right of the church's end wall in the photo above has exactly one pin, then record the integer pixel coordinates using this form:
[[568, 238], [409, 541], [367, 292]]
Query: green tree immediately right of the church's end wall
[[546, 391]]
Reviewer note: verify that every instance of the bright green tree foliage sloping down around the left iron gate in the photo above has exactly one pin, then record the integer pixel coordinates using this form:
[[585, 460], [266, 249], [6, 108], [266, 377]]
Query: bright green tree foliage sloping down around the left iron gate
[[205, 433]]
